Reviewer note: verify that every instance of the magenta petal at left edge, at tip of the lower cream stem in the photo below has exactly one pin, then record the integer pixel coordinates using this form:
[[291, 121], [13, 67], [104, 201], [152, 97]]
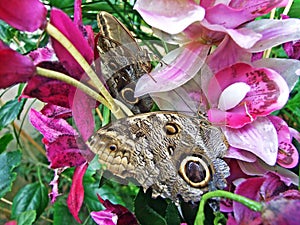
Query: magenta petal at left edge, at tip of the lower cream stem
[[14, 68]]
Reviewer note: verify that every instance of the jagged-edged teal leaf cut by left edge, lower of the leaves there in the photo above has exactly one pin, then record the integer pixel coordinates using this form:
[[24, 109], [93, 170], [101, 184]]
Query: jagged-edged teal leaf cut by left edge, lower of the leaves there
[[8, 161]]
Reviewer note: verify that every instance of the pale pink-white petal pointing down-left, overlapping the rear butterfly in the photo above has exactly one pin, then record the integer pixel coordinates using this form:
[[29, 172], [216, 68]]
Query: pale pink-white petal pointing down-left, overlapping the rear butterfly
[[182, 65]]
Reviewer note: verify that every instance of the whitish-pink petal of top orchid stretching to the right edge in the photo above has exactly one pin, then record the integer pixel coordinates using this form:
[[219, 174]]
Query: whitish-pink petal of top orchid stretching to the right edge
[[274, 32]]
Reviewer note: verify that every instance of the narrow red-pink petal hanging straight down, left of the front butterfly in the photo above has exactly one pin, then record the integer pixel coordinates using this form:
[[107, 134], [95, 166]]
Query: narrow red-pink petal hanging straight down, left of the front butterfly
[[76, 195]]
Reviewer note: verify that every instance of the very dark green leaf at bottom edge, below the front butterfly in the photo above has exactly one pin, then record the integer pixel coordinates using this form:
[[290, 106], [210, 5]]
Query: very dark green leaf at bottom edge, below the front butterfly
[[145, 213]]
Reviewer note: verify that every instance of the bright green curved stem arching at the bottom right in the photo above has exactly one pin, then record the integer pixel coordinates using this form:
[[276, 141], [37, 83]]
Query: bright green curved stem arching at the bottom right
[[253, 205]]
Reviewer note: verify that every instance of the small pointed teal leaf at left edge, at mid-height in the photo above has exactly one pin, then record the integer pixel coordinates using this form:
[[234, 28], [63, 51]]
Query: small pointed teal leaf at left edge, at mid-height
[[10, 111]]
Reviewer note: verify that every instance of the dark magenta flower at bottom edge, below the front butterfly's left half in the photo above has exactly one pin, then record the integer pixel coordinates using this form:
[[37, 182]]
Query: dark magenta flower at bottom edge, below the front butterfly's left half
[[113, 215]]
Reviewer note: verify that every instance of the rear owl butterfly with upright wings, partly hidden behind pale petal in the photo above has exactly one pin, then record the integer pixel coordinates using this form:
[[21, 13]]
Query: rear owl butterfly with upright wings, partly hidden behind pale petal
[[123, 62]]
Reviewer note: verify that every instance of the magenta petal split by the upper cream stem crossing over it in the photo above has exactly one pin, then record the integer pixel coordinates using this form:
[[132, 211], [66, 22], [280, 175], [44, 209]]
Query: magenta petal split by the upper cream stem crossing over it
[[62, 22]]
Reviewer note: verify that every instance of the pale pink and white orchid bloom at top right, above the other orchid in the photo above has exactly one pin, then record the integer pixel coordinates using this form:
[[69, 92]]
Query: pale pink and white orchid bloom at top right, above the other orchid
[[217, 25]]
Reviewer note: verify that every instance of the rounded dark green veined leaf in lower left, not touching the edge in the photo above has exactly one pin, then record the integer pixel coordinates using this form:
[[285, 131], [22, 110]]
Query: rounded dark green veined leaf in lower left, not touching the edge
[[31, 197]]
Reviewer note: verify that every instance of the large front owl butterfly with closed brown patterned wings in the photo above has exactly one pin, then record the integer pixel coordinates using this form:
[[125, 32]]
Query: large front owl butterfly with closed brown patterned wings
[[177, 156]]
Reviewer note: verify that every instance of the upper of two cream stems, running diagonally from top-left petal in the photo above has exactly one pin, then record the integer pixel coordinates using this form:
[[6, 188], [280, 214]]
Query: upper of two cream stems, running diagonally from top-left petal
[[110, 103]]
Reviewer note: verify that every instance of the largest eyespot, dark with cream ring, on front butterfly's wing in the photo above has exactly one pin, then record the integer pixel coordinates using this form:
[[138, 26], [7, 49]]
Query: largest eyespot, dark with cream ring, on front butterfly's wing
[[196, 171]]
